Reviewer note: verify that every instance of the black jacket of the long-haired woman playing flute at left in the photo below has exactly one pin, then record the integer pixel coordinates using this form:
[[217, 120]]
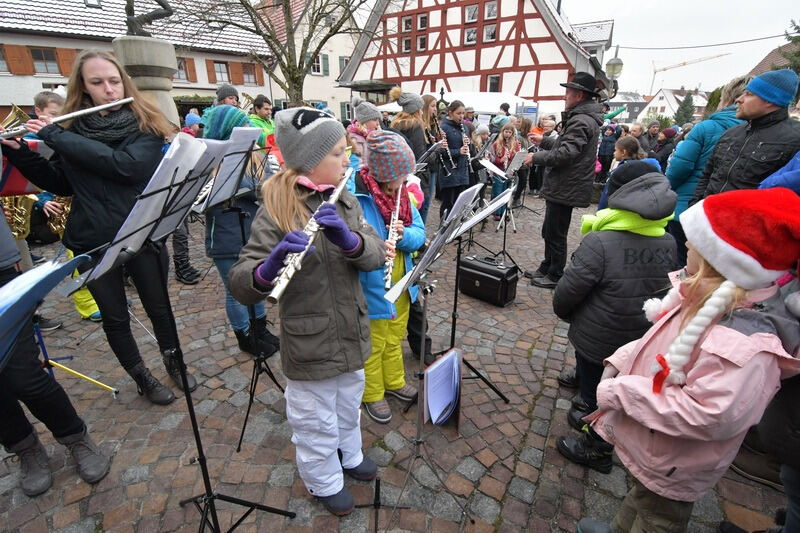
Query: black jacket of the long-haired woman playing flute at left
[[103, 180]]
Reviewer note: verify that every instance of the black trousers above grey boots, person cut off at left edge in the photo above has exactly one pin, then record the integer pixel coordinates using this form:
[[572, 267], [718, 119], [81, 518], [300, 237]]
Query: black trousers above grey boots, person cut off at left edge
[[24, 380]]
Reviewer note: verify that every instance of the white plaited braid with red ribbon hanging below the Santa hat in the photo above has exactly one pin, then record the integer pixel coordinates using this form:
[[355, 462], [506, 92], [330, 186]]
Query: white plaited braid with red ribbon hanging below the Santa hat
[[682, 347]]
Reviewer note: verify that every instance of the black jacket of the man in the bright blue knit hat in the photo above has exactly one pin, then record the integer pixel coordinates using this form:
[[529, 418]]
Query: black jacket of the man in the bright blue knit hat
[[748, 153]]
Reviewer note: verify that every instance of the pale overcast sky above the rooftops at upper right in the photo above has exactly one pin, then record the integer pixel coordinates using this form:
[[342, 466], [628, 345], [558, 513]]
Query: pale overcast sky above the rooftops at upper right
[[684, 23]]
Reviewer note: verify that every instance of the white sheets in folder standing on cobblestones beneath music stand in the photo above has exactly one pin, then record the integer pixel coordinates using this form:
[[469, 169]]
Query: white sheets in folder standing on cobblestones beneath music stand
[[441, 389]]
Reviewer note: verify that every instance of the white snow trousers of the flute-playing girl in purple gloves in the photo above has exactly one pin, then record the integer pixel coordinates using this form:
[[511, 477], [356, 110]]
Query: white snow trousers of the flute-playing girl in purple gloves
[[325, 416]]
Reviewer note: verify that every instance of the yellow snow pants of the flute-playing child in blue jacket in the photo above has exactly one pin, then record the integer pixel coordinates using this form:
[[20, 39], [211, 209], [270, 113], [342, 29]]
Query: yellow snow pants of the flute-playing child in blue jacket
[[384, 369]]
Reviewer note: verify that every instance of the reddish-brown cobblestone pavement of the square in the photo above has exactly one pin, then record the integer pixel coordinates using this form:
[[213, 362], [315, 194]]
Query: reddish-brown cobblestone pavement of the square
[[503, 467]]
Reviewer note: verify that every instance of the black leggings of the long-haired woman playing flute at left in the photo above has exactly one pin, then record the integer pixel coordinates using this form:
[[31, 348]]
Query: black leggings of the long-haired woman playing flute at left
[[109, 293]]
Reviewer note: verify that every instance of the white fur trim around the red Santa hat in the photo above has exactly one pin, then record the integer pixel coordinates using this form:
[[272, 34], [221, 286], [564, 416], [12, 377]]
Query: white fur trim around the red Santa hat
[[741, 268]]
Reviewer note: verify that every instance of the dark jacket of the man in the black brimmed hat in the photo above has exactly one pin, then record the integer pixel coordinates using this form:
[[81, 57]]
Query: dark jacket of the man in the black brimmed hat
[[570, 158]]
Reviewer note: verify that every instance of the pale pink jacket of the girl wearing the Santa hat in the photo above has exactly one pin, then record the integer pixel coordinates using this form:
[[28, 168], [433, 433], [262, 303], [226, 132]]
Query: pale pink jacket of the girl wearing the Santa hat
[[680, 442]]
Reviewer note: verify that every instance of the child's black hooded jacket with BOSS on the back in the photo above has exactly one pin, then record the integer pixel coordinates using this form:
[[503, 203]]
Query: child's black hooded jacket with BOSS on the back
[[612, 273]]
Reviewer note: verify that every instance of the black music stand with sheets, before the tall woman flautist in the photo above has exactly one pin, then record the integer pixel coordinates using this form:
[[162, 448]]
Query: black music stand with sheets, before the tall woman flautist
[[163, 206]]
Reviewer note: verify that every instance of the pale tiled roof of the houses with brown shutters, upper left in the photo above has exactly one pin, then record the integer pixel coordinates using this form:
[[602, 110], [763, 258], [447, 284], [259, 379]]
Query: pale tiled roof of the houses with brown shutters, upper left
[[73, 18]]
